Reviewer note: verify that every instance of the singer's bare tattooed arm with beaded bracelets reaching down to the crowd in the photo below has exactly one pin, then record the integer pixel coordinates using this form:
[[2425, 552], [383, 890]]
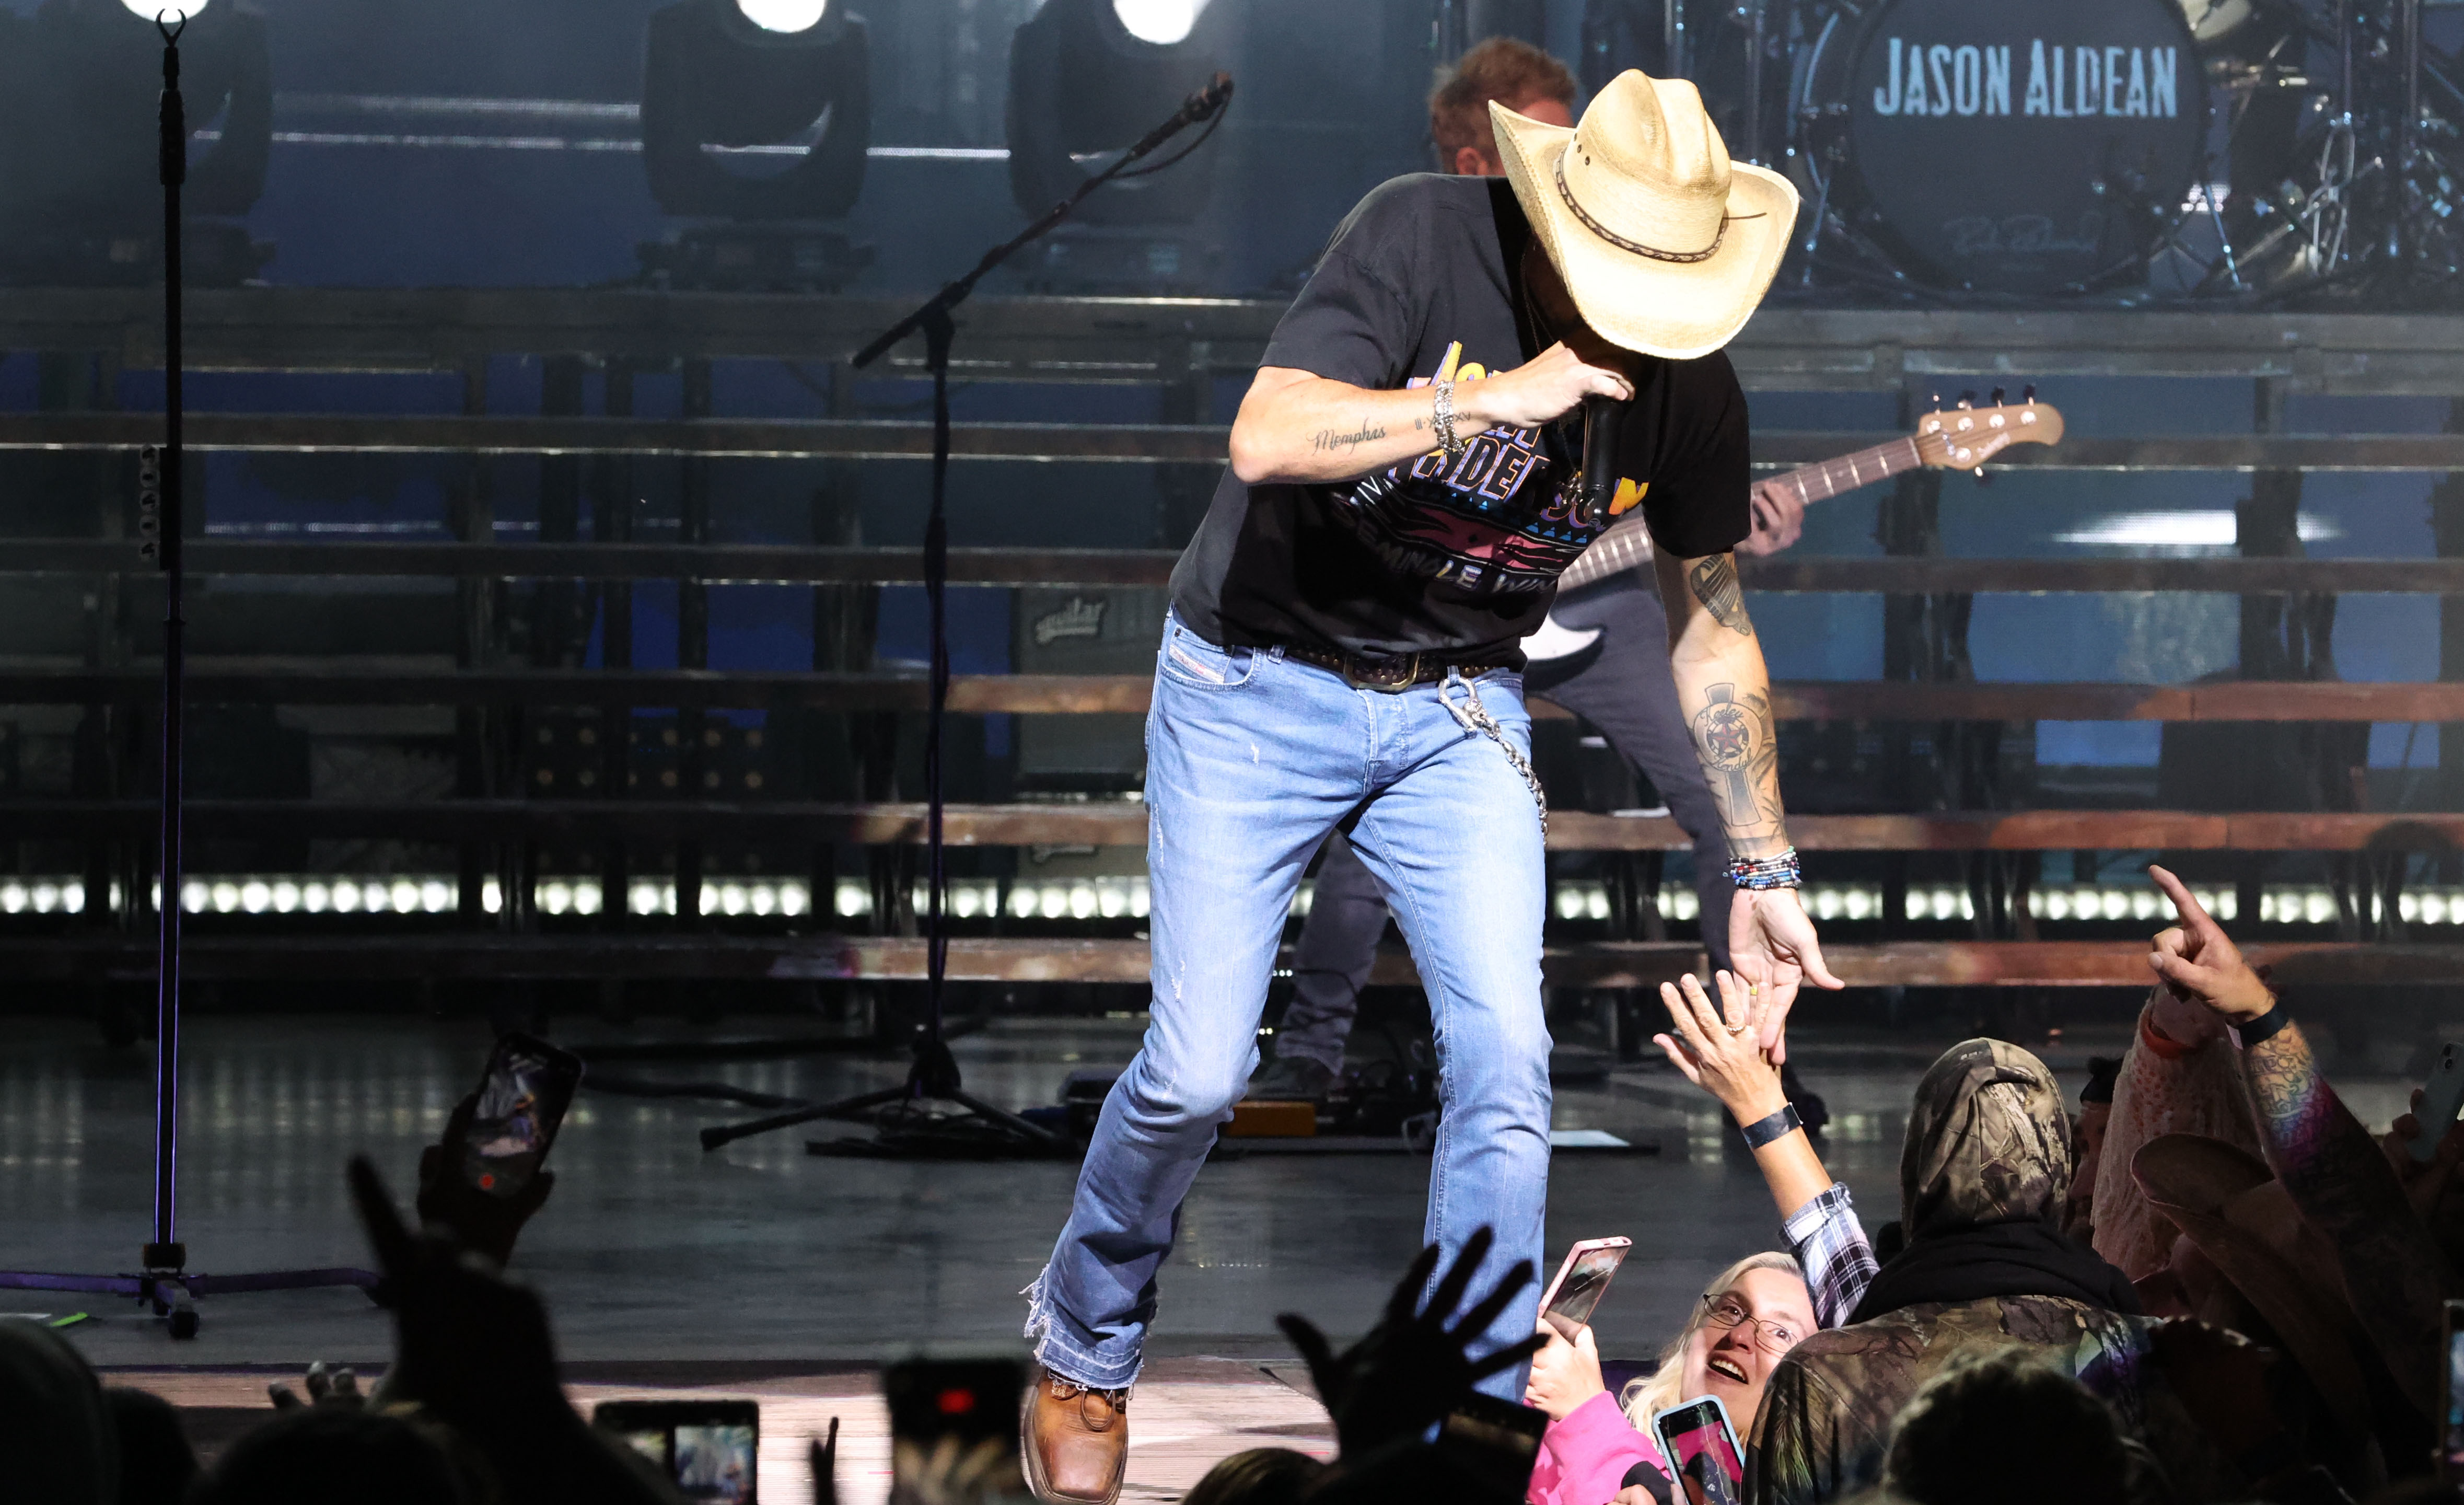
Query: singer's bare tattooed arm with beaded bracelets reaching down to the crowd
[[1726, 696]]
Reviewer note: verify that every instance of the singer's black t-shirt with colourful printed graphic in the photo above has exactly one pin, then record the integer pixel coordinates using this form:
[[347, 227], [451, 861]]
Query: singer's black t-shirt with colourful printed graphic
[[1457, 558]]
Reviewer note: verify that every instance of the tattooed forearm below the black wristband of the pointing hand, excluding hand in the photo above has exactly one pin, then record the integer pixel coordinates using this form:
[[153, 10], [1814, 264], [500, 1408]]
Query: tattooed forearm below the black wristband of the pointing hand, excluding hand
[[2344, 1186]]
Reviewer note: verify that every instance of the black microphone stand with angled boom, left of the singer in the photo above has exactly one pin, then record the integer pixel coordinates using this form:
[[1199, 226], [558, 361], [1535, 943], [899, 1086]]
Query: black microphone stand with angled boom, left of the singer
[[901, 1124]]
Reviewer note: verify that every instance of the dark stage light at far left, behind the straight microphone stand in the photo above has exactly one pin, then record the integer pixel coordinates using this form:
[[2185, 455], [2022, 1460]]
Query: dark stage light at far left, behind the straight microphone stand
[[80, 188]]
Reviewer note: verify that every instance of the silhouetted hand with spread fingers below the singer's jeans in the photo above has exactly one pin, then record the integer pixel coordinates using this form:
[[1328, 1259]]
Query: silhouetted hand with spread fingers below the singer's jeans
[[1411, 1371]]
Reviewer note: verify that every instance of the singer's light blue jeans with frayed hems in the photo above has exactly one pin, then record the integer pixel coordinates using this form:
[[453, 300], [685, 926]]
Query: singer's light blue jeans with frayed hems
[[1253, 760]]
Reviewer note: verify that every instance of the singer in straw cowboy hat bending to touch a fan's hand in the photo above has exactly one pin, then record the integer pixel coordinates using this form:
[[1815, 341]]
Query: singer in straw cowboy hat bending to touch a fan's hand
[[1342, 654]]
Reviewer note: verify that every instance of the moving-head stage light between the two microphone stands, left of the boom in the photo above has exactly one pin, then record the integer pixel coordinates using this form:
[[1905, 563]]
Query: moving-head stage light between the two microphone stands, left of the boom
[[758, 115]]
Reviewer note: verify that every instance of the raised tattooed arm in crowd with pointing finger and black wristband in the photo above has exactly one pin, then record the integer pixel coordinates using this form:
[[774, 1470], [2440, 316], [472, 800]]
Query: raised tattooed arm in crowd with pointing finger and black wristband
[[2327, 1161]]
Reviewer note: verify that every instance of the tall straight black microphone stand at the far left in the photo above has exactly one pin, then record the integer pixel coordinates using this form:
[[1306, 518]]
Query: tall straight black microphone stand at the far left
[[164, 1280]]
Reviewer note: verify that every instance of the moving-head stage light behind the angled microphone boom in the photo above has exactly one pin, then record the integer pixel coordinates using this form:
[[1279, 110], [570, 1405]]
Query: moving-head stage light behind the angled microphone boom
[[1090, 78]]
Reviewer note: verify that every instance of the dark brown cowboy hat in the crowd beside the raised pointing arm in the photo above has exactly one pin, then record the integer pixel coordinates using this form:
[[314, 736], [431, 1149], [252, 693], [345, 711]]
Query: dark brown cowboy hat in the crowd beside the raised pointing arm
[[2243, 1221]]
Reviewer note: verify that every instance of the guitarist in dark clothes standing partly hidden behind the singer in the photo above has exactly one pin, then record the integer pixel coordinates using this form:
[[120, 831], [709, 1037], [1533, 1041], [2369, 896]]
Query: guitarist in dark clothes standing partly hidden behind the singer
[[1620, 684]]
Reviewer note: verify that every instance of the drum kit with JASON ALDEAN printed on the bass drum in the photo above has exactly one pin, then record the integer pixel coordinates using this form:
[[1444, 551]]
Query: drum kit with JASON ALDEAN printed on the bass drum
[[2105, 151]]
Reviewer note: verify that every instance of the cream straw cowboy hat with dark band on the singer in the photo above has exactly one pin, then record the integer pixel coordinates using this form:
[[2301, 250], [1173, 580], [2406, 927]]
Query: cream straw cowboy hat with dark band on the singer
[[1664, 243]]
